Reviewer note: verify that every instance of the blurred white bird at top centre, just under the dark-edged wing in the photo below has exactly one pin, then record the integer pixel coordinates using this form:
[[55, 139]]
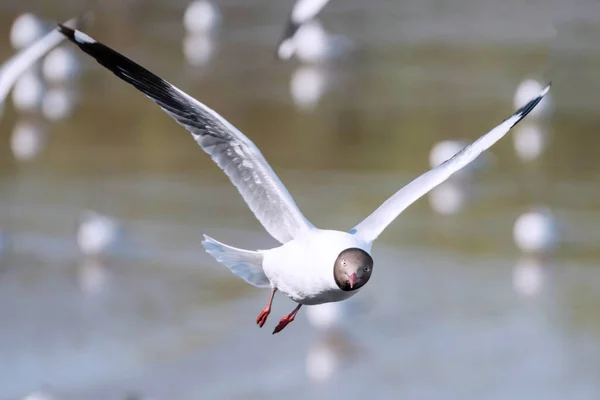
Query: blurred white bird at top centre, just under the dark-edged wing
[[313, 44]]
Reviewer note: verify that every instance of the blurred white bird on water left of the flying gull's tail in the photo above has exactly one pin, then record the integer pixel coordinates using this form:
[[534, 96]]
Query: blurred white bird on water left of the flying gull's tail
[[97, 234]]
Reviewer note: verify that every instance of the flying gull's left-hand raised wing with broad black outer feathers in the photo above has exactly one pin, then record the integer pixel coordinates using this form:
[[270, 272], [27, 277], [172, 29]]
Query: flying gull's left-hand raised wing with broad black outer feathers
[[233, 152]]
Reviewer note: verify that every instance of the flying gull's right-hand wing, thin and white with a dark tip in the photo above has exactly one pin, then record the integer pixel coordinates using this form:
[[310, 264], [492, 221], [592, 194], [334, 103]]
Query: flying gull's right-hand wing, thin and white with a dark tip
[[374, 224]]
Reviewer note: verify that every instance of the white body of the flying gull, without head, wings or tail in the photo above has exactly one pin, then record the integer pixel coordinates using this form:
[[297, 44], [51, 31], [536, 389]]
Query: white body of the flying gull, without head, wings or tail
[[303, 268]]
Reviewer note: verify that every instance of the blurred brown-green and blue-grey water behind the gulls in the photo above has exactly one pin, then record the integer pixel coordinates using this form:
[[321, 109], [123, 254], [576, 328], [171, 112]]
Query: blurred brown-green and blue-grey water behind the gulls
[[440, 319]]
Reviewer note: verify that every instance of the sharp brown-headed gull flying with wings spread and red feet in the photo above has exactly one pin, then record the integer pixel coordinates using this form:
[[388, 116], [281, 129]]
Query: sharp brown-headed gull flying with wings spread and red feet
[[311, 266]]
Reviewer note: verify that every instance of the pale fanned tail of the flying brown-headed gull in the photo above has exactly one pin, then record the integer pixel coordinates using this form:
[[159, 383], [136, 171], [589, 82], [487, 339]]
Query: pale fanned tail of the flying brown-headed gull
[[243, 263]]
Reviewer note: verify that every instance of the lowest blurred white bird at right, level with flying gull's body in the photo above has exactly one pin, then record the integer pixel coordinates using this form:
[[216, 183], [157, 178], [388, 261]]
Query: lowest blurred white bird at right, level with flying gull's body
[[536, 232]]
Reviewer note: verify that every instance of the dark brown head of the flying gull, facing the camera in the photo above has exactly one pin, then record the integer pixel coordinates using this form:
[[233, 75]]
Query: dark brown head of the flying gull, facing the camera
[[352, 269]]
